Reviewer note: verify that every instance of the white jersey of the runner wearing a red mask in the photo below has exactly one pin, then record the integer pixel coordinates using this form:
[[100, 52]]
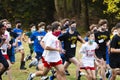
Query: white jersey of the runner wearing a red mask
[[52, 56]]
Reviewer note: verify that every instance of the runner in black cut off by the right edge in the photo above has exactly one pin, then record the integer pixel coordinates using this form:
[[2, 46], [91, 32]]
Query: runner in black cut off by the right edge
[[115, 54]]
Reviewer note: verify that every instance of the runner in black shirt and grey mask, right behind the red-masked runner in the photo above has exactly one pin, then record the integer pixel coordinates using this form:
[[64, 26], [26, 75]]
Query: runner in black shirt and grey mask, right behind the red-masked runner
[[70, 42]]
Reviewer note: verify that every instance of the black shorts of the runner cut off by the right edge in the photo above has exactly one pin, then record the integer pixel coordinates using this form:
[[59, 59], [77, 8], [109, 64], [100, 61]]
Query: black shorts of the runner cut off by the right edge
[[115, 61]]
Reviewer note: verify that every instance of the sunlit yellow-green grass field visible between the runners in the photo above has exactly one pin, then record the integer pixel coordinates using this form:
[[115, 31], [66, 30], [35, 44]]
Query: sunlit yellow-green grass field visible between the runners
[[18, 74]]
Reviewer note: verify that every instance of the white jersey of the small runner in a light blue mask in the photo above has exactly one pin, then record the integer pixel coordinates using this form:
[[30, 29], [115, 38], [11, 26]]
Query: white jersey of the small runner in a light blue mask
[[88, 52]]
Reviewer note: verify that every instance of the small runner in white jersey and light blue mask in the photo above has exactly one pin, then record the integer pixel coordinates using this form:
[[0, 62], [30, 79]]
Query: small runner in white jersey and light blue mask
[[88, 52]]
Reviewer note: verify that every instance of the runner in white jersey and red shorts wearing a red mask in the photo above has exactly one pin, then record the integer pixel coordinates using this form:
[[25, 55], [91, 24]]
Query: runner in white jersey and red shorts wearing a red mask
[[51, 57]]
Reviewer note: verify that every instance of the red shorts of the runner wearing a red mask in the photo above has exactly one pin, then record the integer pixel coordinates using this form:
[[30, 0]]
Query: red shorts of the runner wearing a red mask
[[50, 64]]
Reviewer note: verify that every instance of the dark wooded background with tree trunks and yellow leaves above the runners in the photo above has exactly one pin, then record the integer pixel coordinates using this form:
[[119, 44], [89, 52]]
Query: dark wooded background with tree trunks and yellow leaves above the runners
[[85, 12]]
